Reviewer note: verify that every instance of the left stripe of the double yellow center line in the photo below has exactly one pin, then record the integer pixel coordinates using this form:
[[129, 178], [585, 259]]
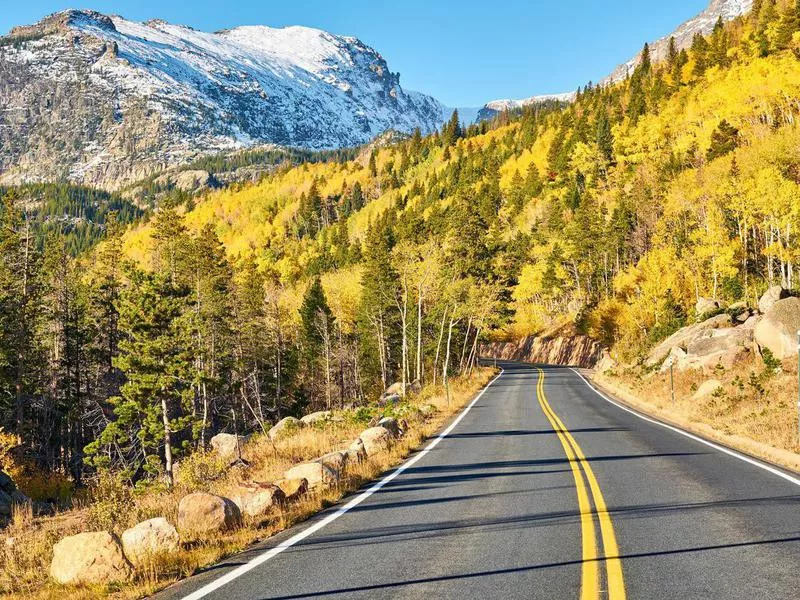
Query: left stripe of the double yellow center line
[[589, 580]]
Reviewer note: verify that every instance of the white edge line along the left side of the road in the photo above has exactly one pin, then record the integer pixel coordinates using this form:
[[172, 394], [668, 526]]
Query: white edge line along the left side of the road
[[285, 545]]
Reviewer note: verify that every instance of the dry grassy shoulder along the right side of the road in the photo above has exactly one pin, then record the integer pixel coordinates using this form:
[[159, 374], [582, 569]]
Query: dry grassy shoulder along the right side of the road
[[753, 410]]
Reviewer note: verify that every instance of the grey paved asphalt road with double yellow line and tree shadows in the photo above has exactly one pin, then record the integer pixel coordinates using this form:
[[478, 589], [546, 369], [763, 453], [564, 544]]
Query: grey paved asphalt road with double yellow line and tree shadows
[[544, 490]]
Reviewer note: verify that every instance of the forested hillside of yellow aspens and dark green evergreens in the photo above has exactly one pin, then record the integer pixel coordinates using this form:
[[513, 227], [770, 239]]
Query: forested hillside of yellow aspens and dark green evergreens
[[328, 281]]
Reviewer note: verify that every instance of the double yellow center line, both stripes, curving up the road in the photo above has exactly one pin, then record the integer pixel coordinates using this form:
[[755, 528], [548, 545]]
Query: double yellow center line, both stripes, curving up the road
[[582, 473]]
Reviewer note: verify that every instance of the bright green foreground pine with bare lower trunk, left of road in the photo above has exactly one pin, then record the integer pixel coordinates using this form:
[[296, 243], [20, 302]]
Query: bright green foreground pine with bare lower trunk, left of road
[[153, 414]]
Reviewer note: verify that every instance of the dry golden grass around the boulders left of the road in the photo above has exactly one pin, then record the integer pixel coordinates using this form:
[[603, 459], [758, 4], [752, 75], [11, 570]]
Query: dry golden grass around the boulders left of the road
[[25, 561]]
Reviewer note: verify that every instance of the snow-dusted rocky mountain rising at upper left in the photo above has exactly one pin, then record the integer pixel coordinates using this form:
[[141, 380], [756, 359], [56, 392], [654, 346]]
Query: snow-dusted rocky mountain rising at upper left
[[101, 99]]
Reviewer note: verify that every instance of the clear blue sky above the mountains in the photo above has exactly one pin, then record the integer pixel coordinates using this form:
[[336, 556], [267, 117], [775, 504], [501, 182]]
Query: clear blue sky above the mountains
[[462, 52]]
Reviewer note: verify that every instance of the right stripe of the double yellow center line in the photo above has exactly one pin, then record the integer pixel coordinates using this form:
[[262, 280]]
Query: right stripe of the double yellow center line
[[614, 577]]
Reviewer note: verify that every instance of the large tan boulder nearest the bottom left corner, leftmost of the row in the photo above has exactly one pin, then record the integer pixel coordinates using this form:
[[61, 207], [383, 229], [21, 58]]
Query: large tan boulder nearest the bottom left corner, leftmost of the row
[[94, 557]]
